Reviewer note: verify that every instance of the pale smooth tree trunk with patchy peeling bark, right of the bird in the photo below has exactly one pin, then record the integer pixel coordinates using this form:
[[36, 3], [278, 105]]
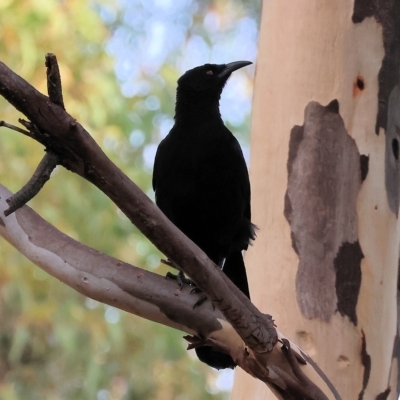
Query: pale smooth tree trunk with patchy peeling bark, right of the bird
[[325, 188]]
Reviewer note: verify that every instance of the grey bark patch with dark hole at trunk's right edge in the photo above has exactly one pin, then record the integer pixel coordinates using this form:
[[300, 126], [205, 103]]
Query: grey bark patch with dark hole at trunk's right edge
[[392, 164]]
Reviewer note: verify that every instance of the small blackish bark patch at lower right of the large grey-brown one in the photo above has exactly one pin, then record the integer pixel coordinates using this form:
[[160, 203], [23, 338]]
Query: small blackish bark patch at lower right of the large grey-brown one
[[348, 279]]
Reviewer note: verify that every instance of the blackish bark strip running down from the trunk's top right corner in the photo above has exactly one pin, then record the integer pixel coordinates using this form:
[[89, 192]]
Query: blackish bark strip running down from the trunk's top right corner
[[386, 13]]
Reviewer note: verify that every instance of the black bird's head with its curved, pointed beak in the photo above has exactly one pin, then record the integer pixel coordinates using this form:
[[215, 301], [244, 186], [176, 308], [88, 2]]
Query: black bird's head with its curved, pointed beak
[[207, 80]]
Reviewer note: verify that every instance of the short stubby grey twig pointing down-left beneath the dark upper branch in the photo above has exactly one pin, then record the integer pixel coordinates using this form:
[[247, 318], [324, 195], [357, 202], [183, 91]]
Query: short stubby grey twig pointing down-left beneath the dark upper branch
[[33, 186]]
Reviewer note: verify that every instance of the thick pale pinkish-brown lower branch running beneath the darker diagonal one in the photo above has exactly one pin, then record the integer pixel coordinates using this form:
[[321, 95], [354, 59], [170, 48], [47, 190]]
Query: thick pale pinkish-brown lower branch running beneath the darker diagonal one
[[156, 298]]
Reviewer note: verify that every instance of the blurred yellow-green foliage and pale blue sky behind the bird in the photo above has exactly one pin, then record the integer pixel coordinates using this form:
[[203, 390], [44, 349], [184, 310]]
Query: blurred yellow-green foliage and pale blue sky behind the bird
[[119, 63]]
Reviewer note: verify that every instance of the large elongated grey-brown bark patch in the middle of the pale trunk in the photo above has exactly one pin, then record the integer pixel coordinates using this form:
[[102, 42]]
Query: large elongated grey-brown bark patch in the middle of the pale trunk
[[324, 178]]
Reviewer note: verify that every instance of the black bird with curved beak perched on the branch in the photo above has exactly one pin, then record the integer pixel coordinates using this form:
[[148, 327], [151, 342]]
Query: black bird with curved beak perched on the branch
[[201, 180]]
